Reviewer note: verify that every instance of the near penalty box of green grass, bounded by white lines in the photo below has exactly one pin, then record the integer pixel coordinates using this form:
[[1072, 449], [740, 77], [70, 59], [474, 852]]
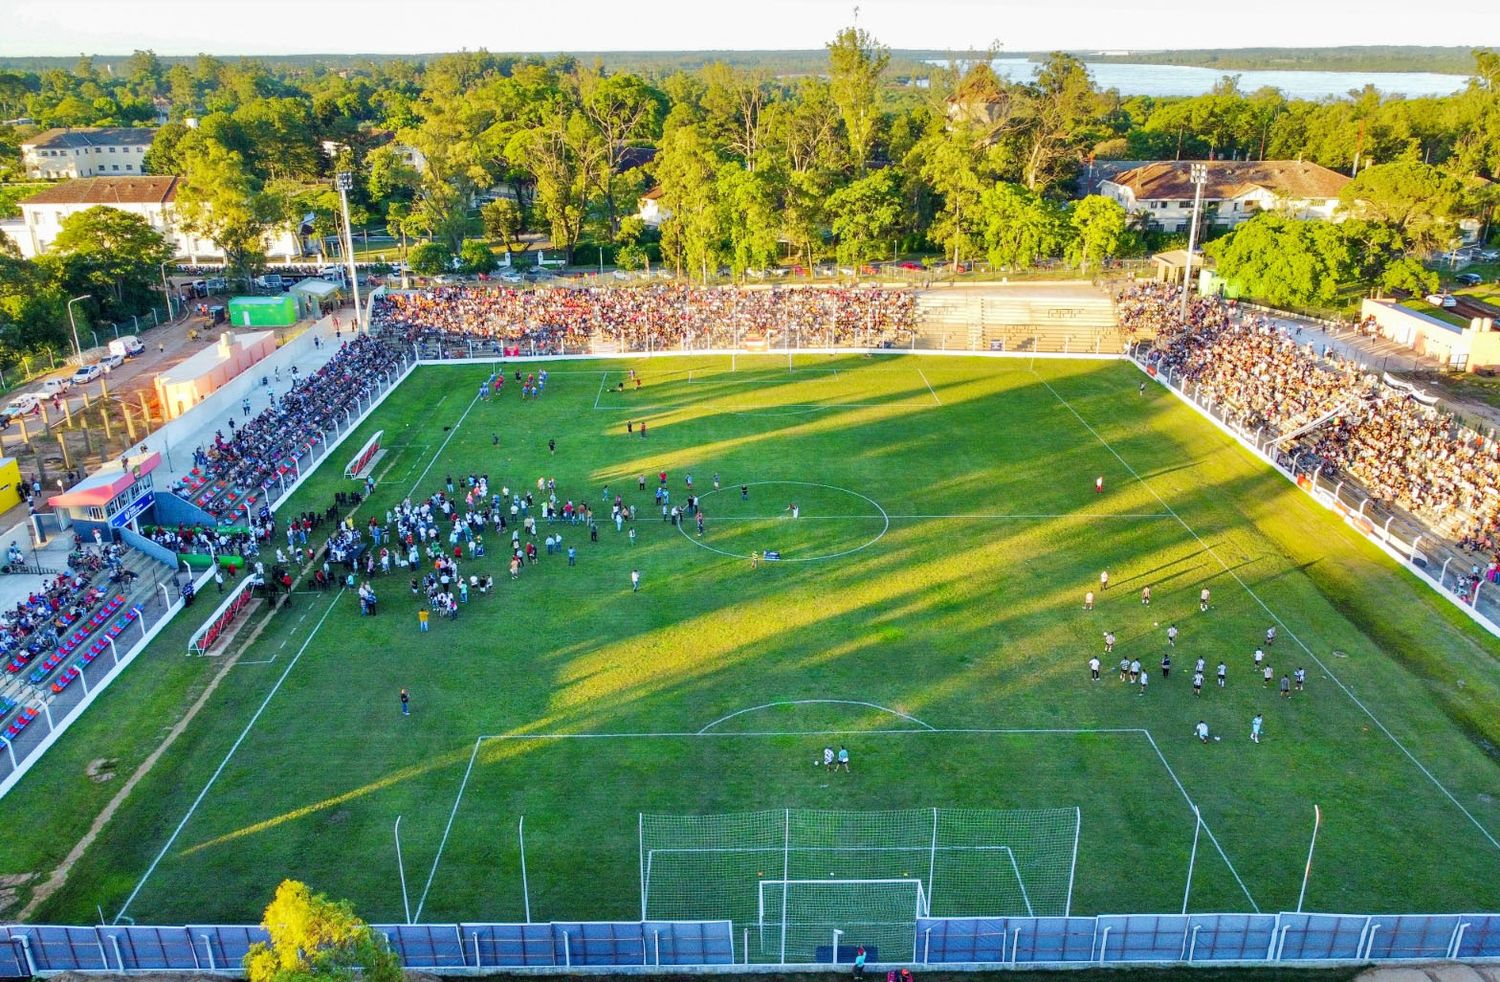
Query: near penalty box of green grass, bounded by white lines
[[583, 797]]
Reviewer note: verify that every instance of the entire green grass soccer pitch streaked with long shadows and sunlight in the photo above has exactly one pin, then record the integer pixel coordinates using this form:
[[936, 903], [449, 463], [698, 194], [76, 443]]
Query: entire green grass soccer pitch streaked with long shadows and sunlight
[[928, 614]]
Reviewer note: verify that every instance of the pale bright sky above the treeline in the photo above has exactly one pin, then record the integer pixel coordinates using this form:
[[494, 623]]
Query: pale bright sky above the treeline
[[70, 28]]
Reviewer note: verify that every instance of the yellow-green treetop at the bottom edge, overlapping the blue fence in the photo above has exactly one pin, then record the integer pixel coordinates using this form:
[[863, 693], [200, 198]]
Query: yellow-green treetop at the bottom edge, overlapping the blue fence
[[317, 939]]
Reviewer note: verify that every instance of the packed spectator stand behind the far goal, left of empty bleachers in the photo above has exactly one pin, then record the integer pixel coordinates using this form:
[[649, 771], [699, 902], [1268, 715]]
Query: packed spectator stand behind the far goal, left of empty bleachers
[[553, 322]]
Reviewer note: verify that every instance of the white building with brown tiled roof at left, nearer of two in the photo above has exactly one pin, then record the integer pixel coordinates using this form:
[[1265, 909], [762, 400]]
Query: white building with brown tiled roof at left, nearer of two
[[154, 199]]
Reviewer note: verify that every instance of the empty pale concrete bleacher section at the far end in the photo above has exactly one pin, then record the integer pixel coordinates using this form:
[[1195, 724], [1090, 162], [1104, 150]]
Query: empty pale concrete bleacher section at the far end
[[1073, 319]]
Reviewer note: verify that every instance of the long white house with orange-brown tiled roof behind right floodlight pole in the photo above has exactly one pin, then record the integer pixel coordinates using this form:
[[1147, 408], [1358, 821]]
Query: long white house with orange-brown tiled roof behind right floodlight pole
[[1237, 191]]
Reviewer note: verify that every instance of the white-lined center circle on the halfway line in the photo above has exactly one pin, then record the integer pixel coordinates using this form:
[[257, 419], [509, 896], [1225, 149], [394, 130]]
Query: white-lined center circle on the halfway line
[[781, 528]]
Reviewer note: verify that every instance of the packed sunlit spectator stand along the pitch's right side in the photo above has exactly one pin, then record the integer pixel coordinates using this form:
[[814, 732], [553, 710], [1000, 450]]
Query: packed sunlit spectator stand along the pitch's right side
[[1400, 451]]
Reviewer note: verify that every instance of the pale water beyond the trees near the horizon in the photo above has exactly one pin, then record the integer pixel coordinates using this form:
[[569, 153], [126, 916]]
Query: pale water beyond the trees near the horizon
[[1177, 80]]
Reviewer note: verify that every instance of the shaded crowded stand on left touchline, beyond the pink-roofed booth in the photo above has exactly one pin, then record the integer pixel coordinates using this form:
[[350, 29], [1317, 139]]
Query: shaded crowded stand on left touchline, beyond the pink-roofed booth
[[232, 476]]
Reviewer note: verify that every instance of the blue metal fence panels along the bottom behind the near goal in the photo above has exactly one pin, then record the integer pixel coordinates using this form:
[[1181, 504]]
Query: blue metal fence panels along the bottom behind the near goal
[[1108, 939]]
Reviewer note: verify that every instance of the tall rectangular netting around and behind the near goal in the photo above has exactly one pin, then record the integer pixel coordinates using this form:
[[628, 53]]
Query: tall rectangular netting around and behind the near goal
[[968, 863]]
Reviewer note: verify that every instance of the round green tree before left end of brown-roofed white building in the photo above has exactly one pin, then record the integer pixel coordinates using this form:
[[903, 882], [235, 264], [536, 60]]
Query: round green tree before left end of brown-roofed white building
[[113, 256]]
